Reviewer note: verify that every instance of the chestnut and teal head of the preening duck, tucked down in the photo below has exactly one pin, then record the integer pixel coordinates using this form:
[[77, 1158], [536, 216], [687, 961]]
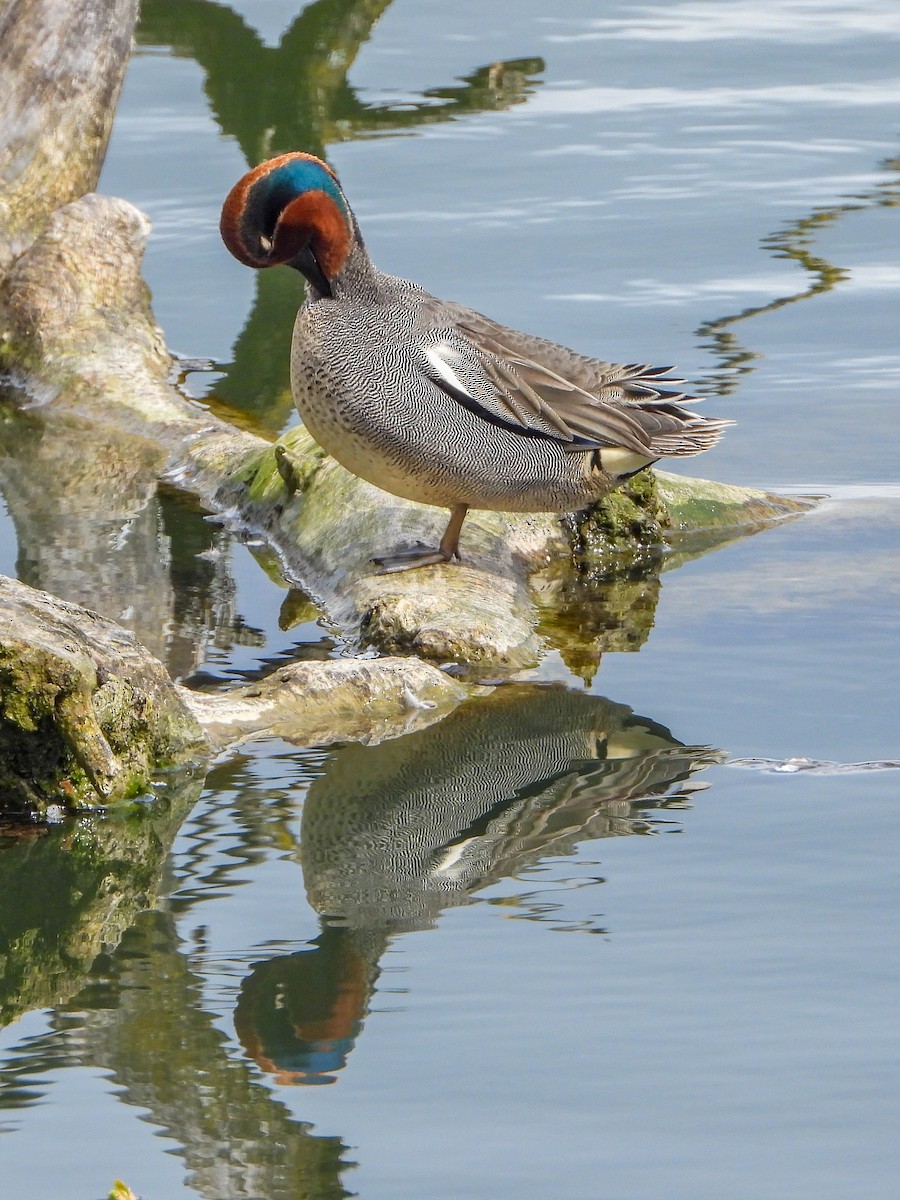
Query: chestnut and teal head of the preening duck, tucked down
[[291, 211]]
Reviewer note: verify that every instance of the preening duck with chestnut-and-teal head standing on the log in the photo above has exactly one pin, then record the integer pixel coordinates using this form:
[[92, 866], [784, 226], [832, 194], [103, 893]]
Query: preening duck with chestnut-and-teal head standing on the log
[[433, 401]]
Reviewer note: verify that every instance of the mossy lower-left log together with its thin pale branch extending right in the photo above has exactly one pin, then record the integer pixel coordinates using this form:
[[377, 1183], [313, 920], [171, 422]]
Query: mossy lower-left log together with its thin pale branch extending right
[[88, 717]]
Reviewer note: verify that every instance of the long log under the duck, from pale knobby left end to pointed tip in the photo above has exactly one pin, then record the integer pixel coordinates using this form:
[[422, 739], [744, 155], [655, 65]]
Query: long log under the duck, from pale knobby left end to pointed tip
[[80, 334]]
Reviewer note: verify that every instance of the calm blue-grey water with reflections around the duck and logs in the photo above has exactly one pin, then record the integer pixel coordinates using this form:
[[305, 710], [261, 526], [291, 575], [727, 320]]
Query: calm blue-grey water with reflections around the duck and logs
[[555, 945]]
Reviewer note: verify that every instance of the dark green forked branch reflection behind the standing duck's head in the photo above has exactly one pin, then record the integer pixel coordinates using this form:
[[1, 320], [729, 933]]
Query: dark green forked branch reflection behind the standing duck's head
[[296, 97]]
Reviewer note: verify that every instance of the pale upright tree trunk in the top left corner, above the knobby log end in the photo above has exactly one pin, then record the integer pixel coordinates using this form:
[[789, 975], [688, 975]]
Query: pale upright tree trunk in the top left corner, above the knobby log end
[[63, 65]]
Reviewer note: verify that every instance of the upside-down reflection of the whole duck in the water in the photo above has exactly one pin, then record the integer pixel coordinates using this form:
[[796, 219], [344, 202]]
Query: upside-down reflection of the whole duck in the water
[[394, 833]]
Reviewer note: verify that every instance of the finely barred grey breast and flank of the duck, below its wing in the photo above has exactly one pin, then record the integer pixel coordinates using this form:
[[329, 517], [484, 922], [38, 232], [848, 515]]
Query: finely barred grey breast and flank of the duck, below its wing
[[359, 387]]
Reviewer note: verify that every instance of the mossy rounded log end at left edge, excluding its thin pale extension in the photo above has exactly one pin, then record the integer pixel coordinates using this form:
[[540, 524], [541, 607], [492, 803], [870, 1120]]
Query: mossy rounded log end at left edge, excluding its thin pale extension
[[87, 716]]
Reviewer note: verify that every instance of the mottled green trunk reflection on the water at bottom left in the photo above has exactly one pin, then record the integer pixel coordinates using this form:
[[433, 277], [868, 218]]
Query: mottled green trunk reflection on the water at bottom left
[[142, 1019]]
